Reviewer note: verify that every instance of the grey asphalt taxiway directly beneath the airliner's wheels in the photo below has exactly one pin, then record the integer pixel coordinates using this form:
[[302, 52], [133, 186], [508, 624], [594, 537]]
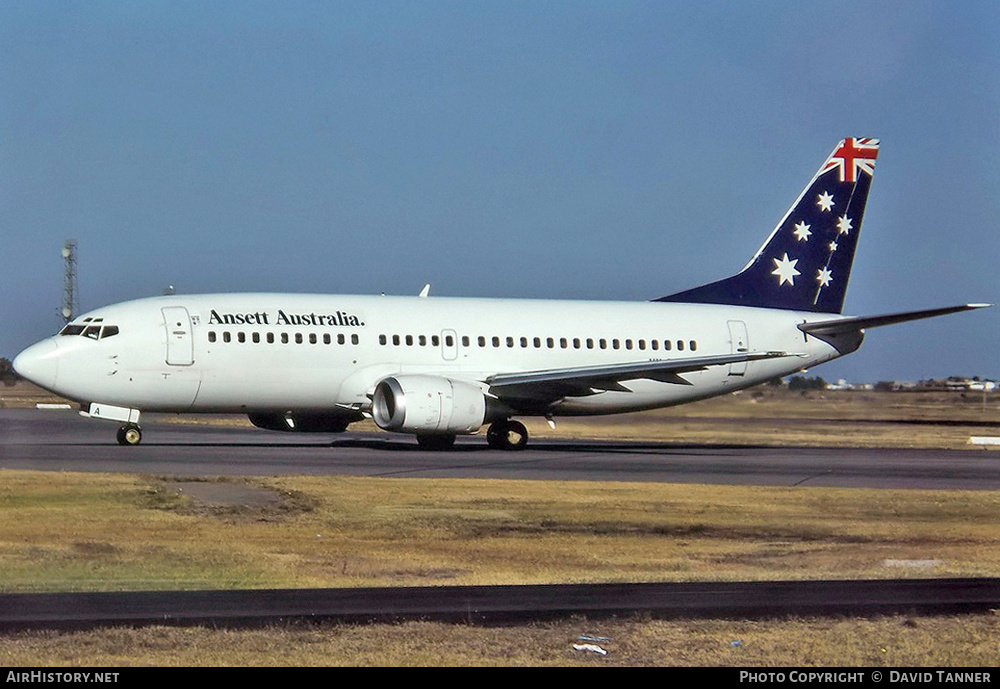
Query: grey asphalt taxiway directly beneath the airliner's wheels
[[64, 441]]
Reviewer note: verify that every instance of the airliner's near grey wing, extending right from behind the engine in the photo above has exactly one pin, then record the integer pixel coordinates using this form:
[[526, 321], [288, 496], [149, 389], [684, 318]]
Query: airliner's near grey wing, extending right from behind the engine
[[589, 380]]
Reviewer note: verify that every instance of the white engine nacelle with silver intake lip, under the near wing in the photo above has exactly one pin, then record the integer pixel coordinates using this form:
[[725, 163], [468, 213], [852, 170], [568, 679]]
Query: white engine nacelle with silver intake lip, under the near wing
[[428, 404]]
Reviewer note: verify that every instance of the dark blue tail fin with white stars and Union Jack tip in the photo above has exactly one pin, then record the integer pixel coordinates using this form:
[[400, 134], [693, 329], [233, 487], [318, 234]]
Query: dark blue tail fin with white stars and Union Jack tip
[[806, 261]]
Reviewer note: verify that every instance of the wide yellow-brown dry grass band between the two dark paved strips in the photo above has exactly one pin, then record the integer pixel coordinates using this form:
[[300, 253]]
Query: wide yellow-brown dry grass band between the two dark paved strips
[[64, 531]]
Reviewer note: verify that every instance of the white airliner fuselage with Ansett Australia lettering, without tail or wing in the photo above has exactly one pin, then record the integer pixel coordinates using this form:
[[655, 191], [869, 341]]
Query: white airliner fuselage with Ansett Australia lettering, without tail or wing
[[279, 352]]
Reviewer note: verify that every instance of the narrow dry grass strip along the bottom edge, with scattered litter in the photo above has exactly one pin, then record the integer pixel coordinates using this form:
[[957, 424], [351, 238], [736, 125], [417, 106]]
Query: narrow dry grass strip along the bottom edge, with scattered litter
[[894, 641]]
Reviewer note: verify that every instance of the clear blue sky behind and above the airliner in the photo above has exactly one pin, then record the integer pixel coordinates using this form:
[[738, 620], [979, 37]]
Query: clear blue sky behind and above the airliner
[[598, 150]]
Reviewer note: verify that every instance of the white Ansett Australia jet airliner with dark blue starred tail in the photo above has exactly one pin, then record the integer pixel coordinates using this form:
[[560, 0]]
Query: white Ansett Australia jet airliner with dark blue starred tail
[[438, 367]]
